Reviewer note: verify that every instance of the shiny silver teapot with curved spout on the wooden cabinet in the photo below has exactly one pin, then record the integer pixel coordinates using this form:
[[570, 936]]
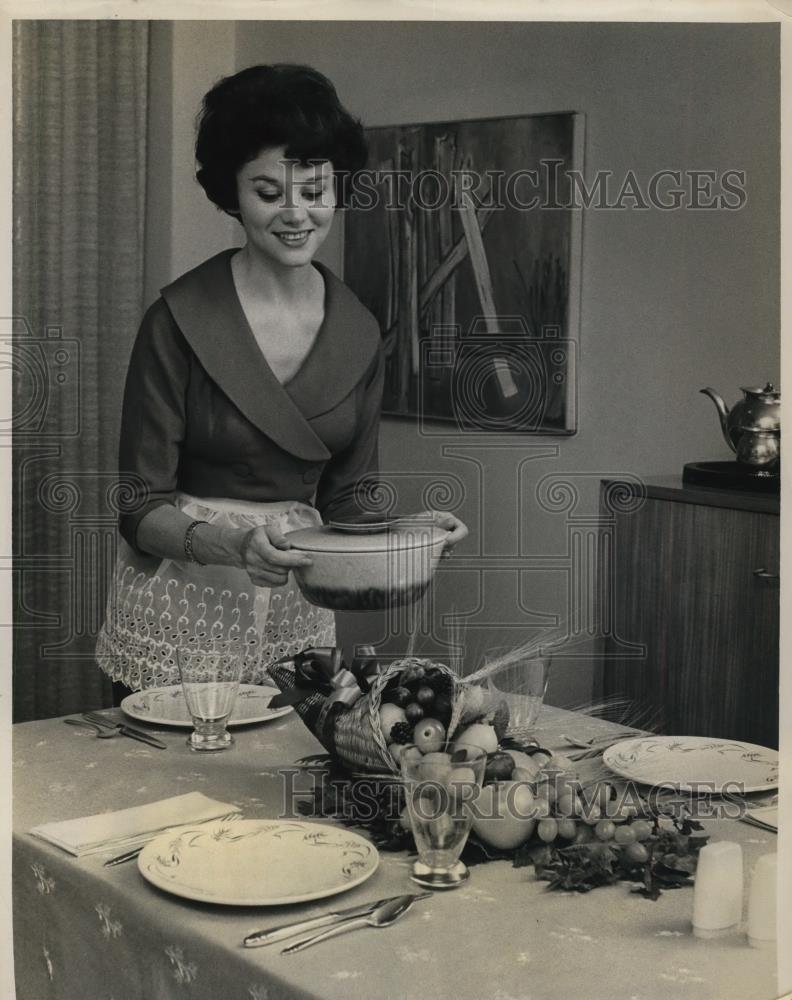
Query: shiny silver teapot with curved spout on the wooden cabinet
[[752, 427]]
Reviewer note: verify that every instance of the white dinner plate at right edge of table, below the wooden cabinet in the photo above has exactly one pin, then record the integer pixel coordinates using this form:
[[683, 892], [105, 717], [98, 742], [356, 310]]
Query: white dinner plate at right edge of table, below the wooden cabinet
[[695, 763]]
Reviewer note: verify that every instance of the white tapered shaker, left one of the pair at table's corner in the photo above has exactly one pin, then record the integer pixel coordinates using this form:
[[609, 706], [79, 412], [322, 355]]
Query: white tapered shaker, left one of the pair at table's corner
[[718, 890]]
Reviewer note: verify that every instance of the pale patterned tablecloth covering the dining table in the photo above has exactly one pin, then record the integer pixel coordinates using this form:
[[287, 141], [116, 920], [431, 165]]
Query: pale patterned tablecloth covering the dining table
[[82, 930]]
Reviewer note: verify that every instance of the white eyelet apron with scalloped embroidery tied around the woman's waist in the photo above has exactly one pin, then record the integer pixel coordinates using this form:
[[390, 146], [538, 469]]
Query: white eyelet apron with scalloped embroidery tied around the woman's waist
[[155, 605]]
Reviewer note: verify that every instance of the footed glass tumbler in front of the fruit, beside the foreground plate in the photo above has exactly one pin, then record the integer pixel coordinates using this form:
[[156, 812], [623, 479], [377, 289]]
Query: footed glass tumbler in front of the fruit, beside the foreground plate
[[441, 789]]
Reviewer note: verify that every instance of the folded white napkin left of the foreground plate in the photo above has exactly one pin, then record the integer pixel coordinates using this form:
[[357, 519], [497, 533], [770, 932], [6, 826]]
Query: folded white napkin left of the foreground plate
[[129, 828]]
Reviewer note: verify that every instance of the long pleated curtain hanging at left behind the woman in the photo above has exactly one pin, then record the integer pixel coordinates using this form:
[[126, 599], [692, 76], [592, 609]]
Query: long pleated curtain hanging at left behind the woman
[[79, 199]]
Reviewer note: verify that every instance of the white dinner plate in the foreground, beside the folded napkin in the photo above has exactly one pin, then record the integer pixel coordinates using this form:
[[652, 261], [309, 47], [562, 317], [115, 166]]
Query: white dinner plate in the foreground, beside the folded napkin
[[255, 862]]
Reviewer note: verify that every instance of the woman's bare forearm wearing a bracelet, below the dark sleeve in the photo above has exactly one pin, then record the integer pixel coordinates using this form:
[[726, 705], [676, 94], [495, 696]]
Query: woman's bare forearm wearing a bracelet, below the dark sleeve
[[162, 531]]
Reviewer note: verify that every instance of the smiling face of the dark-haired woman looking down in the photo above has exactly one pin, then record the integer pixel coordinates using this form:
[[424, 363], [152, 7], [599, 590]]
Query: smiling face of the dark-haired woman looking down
[[286, 207]]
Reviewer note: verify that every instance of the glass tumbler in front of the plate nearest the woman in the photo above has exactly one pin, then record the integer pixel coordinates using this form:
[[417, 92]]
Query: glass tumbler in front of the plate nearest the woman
[[210, 680]]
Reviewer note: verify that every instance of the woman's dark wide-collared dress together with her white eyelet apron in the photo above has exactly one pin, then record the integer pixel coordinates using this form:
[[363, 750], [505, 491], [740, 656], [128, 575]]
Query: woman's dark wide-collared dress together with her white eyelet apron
[[205, 417]]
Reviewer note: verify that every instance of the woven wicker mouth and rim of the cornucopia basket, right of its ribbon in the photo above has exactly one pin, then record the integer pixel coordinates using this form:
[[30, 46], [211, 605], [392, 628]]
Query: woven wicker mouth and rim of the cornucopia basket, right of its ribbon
[[359, 740]]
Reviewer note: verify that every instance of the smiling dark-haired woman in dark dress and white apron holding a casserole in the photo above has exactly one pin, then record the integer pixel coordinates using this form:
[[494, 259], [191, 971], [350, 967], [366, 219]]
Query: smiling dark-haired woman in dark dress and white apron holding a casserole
[[256, 378]]
